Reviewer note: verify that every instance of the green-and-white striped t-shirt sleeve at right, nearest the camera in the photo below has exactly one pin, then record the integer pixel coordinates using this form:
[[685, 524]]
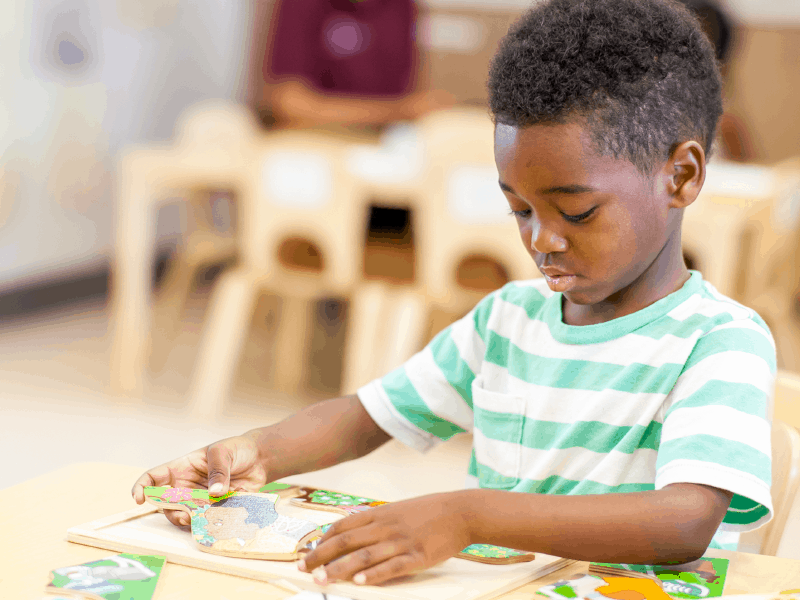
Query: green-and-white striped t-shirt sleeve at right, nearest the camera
[[717, 428]]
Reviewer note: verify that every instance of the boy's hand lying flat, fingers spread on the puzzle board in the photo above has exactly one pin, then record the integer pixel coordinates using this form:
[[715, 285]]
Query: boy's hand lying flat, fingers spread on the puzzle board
[[391, 540]]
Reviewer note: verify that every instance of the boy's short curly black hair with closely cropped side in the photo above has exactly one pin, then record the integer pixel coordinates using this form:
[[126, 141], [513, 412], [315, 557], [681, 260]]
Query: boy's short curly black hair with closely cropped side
[[641, 73]]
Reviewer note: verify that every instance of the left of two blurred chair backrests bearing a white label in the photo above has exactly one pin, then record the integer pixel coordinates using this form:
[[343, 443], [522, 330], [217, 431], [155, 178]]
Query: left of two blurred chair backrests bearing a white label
[[303, 190]]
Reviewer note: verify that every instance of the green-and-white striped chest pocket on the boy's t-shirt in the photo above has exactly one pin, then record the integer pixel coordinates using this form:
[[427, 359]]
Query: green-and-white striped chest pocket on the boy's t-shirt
[[499, 421]]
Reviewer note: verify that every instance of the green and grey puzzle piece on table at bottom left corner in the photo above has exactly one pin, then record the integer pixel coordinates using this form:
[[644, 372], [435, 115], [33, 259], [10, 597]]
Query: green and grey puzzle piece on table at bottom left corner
[[129, 576]]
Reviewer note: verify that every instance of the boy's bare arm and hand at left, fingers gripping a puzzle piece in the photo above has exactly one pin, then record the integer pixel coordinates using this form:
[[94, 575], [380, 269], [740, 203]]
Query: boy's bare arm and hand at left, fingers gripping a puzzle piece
[[319, 436]]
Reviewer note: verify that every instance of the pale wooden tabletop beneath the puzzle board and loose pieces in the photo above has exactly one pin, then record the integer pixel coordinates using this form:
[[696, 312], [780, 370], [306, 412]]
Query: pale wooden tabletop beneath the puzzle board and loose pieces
[[35, 515]]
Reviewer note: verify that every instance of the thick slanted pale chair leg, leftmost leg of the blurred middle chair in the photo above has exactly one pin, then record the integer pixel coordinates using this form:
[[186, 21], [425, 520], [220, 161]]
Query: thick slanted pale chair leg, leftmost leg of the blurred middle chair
[[227, 325]]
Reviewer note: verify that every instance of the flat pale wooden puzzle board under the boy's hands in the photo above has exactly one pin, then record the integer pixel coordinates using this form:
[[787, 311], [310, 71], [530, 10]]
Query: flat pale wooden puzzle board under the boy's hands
[[143, 530]]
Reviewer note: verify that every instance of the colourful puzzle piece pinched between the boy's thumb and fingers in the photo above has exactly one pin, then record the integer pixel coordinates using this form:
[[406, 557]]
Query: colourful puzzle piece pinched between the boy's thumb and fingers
[[241, 524]]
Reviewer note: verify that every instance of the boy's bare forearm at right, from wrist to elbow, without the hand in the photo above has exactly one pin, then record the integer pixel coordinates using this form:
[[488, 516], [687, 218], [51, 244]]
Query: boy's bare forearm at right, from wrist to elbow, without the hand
[[675, 523]]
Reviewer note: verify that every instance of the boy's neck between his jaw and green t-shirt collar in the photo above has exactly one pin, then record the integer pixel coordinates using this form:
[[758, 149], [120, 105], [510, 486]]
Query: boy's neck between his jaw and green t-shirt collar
[[665, 275]]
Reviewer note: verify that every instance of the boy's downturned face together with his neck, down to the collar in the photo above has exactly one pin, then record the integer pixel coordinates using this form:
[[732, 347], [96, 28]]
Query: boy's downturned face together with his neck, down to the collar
[[595, 226]]
